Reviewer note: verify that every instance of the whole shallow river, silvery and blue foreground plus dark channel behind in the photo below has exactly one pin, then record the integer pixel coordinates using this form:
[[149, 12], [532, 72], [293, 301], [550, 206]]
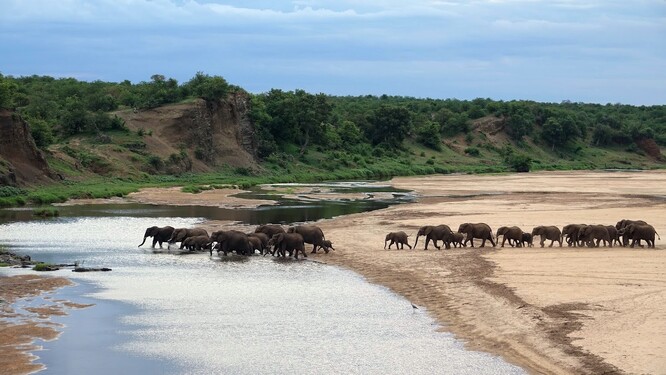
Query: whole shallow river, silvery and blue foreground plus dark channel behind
[[192, 314]]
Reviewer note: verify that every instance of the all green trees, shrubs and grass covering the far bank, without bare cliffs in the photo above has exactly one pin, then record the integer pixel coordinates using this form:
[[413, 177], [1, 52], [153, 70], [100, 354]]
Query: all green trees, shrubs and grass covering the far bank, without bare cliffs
[[304, 137]]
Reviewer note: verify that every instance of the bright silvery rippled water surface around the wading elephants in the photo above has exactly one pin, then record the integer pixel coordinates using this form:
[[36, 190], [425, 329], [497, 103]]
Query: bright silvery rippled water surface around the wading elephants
[[253, 316]]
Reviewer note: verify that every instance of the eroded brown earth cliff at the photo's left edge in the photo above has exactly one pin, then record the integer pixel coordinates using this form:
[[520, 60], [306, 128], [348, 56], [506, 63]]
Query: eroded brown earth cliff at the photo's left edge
[[21, 162]]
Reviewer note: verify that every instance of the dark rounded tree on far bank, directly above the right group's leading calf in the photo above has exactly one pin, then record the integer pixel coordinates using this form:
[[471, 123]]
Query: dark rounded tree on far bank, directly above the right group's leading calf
[[389, 125]]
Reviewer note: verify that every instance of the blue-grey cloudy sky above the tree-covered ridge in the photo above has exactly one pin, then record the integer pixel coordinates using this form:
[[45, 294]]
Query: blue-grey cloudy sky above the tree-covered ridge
[[601, 51]]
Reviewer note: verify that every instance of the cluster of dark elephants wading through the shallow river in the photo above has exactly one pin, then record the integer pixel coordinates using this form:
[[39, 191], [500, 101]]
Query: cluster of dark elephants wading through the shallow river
[[269, 238]]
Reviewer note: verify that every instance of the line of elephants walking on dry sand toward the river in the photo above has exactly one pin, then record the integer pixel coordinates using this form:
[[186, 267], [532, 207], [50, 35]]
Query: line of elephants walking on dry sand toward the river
[[576, 235]]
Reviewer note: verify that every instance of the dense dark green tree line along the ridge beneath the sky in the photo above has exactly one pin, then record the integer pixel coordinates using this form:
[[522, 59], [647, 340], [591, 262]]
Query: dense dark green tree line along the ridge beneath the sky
[[295, 121]]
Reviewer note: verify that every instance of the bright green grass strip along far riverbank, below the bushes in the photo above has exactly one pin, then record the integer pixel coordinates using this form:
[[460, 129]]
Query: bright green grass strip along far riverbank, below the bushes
[[315, 167]]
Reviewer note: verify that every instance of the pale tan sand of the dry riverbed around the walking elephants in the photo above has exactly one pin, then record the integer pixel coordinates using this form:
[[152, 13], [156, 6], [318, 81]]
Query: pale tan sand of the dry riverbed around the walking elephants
[[551, 310]]
